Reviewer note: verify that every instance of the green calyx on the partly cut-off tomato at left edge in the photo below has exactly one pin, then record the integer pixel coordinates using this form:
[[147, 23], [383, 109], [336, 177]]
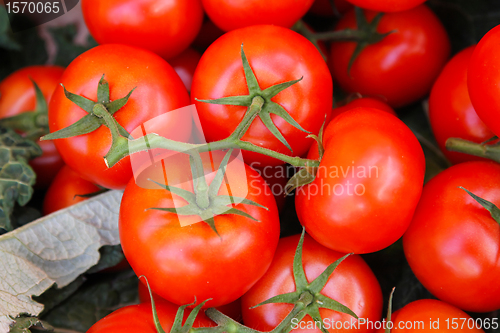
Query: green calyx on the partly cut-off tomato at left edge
[[33, 123]]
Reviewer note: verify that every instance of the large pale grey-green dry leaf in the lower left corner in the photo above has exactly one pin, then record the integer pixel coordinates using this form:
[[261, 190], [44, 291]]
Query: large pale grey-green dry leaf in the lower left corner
[[55, 249]]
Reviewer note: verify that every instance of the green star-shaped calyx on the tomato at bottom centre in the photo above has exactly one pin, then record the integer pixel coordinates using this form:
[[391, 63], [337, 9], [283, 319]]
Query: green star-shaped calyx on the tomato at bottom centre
[[308, 295]]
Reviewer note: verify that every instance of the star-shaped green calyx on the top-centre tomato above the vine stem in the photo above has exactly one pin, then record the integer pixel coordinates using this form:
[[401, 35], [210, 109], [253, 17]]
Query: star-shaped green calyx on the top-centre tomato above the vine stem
[[268, 106]]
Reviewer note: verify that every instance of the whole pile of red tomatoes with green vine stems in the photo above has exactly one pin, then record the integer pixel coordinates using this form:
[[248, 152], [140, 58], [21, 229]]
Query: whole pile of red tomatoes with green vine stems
[[199, 220]]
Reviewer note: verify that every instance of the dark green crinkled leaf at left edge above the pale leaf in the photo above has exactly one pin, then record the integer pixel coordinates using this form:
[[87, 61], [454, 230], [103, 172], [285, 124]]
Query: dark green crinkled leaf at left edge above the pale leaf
[[16, 176]]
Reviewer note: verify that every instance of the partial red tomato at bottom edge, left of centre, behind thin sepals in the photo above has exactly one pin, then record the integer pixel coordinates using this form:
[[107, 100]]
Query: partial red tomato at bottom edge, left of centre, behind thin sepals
[[139, 318]]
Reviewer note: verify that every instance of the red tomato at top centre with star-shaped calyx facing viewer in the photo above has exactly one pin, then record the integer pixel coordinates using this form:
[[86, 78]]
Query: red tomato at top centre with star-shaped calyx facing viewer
[[276, 55]]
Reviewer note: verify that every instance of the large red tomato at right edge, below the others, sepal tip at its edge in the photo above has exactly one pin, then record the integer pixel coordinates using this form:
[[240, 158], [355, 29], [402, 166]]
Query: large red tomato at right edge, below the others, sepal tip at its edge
[[452, 243]]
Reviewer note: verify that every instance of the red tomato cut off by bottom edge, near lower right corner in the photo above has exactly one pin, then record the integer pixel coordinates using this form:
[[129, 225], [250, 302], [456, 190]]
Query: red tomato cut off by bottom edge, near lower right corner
[[430, 316]]
